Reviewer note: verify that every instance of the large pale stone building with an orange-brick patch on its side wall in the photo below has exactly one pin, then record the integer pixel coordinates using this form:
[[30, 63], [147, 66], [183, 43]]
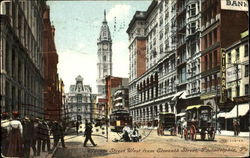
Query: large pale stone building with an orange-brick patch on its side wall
[[152, 89]]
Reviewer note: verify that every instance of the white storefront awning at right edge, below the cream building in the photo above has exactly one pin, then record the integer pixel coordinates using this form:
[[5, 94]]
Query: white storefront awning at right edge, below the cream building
[[242, 111]]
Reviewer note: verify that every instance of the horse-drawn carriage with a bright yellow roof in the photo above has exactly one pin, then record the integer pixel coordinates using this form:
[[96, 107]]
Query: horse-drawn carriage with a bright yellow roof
[[199, 121]]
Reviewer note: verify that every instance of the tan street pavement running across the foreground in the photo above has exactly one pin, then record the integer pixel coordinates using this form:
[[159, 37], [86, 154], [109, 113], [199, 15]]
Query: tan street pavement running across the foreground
[[154, 146]]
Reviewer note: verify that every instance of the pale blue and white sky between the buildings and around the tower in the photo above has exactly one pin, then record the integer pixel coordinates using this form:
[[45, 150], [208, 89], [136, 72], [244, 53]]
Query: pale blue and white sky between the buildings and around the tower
[[78, 24]]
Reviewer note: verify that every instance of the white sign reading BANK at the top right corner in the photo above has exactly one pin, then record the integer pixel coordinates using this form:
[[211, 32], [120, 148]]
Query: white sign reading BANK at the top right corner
[[239, 5]]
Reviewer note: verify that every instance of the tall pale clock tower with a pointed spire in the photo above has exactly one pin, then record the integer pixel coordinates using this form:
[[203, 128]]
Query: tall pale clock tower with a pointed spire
[[104, 64]]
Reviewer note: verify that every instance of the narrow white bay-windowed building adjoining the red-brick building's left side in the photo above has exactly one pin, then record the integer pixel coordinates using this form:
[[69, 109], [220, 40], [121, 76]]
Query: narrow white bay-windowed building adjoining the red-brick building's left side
[[193, 23]]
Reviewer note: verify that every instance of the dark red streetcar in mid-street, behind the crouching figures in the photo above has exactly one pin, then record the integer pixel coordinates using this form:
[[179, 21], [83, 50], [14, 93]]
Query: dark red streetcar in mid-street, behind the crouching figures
[[118, 120]]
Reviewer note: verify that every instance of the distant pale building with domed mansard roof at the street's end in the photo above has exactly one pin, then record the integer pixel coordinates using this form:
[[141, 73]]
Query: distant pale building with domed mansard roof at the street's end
[[79, 101]]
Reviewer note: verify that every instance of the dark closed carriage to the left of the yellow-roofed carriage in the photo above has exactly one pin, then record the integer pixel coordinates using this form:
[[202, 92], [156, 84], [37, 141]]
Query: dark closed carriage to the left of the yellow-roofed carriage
[[167, 122]]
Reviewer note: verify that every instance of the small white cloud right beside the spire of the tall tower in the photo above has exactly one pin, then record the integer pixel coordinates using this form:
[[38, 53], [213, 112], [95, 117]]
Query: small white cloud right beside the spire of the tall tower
[[118, 11]]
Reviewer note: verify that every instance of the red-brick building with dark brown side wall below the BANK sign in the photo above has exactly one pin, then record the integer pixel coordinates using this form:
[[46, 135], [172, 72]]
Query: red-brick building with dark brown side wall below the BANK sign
[[219, 29]]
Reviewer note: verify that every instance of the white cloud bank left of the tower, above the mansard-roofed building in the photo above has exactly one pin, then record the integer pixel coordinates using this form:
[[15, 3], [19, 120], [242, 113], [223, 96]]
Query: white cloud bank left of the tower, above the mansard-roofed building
[[77, 61]]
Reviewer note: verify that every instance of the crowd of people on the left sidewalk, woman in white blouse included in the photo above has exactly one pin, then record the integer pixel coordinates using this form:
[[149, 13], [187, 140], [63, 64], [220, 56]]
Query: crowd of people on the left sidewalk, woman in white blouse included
[[20, 135]]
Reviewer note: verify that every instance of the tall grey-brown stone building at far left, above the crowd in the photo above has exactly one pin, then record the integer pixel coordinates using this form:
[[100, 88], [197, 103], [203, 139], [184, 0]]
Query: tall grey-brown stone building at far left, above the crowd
[[21, 58]]
